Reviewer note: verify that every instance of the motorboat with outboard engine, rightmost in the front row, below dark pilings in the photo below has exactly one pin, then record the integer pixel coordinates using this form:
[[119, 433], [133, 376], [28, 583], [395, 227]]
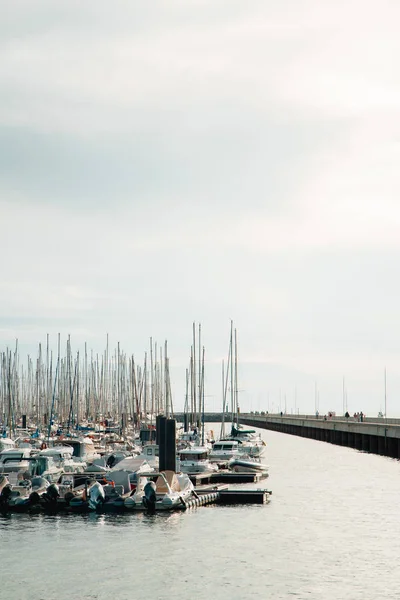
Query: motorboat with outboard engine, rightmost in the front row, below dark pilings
[[170, 491]]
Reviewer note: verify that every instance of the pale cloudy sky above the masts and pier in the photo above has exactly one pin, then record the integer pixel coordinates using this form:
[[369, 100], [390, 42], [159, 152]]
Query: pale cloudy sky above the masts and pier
[[164, 163]]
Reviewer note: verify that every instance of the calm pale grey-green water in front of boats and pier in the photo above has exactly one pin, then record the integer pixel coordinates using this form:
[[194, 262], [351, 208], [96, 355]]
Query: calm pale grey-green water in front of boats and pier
[[331, 531]]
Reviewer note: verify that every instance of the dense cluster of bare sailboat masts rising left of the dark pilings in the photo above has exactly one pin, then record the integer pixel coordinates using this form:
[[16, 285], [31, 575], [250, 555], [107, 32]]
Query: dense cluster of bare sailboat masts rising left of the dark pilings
[[82, 386]]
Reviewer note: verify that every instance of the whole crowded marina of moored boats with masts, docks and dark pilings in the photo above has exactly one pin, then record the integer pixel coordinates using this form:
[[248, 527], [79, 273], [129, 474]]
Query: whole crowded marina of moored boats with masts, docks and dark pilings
[[112, 444]]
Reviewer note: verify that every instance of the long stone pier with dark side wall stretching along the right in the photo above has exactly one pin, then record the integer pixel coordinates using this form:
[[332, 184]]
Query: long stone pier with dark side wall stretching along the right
[[378, 436]]
